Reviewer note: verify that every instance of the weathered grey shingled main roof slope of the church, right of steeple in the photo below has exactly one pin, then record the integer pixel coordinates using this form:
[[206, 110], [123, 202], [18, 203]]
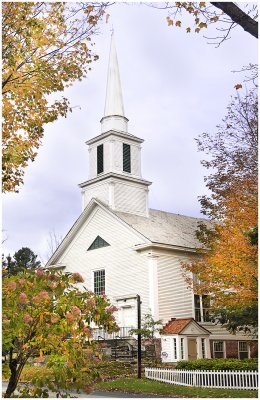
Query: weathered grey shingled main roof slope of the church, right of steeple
[[165, 227]]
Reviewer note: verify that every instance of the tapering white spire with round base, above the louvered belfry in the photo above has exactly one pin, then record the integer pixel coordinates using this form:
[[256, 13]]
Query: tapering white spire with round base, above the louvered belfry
[[114, 116]]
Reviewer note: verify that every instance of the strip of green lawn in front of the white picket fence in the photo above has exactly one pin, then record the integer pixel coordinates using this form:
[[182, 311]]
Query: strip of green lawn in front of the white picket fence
[[146, 386]]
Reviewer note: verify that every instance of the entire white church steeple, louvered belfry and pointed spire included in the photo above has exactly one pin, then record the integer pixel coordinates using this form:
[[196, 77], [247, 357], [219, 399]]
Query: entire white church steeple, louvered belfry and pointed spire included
[[115, 155]]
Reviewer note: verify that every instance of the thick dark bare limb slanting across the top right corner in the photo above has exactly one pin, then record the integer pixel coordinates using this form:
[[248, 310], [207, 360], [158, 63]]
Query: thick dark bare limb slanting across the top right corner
[[239, 17]]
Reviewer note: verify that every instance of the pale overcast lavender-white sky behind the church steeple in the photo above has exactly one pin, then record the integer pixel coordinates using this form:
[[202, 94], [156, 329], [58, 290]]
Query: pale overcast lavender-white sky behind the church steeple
[[175, 86]]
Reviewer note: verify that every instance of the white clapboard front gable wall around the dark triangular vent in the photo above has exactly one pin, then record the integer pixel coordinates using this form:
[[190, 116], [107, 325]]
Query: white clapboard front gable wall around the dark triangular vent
[[126, 271]]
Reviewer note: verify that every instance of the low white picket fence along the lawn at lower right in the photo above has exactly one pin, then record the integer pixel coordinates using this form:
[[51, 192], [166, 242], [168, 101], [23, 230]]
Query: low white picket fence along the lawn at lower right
[[208, 379]]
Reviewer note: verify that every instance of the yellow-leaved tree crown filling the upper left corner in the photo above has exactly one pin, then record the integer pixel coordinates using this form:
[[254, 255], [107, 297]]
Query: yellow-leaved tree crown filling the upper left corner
[[46, 46]]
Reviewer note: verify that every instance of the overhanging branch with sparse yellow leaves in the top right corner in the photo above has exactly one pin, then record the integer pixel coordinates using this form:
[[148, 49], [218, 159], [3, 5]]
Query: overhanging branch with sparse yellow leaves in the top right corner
[[227, 15]]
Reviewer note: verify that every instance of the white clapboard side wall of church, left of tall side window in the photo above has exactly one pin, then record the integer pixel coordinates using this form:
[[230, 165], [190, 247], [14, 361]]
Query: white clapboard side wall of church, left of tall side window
[[175, 298]]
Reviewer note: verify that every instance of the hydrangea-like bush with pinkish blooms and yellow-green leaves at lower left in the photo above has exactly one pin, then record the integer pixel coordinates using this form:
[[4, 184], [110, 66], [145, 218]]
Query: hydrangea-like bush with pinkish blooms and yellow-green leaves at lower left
[[46, 315]]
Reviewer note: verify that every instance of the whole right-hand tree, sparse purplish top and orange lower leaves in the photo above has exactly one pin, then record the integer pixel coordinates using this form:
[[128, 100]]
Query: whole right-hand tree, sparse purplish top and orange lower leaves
[[228, 268]]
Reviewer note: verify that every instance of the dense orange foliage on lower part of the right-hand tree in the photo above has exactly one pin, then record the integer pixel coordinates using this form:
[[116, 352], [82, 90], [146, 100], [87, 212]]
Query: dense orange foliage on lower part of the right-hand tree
[[229, 270]]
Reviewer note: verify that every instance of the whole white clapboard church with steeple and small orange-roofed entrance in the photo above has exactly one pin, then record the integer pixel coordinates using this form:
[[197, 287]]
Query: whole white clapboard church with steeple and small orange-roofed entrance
[[122, 248]]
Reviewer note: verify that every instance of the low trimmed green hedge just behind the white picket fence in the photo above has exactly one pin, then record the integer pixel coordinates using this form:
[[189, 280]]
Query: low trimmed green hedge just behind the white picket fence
[[221, 364]]
